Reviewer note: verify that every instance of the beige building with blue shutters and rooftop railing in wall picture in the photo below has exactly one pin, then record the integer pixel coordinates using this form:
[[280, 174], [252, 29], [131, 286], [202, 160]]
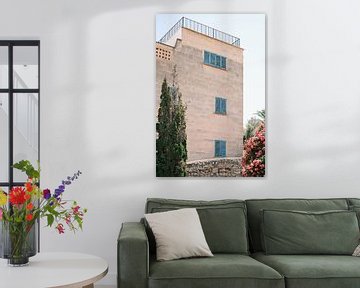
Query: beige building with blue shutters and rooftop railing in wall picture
[[209, 66]]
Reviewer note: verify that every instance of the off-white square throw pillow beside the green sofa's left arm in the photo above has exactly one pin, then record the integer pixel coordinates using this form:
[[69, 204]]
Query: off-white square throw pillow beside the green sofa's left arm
[[178, 234]]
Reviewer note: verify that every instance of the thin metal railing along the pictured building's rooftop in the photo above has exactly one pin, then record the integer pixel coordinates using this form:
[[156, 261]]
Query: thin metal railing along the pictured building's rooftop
[[202, 29]]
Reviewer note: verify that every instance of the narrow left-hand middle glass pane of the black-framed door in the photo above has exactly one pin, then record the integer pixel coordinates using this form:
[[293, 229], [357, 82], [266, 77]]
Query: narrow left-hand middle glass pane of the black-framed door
[[4, 137]]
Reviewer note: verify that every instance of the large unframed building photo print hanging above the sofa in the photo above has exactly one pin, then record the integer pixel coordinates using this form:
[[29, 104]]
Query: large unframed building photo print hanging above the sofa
[[210, 95]]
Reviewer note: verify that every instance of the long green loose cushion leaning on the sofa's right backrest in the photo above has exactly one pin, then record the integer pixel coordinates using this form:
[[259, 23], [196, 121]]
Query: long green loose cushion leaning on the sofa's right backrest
[[297, 232]]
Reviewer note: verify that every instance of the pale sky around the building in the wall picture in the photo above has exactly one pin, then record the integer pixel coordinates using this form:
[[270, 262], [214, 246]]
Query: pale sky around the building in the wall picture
[[250, 28]]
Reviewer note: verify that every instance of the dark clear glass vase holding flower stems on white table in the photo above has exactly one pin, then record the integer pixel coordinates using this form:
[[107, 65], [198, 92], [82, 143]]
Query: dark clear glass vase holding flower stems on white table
[[18, 242]]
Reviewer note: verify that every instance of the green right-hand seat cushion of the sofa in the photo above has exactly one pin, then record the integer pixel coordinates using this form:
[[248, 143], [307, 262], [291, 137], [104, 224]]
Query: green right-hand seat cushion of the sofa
[[313, 271]]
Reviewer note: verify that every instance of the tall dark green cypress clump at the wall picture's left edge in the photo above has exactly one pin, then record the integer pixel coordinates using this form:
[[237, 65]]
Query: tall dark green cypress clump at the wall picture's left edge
[[171, 150]]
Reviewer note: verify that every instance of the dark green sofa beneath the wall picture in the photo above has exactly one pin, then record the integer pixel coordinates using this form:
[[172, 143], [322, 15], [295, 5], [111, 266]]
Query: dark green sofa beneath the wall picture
[[234, 232]]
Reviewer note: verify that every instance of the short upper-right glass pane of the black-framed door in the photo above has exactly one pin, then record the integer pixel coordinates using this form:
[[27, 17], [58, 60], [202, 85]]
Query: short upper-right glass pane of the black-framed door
[[26, 67]]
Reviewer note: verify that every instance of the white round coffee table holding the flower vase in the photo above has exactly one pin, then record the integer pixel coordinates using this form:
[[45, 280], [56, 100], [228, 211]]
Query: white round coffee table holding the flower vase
[[67, 270]]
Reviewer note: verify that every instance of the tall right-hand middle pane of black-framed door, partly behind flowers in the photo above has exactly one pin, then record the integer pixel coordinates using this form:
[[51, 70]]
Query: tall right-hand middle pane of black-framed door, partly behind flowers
[[26, 130]]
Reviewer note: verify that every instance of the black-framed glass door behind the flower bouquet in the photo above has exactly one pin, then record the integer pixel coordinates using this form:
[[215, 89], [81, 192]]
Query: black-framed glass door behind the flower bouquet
[[19, 108]]
